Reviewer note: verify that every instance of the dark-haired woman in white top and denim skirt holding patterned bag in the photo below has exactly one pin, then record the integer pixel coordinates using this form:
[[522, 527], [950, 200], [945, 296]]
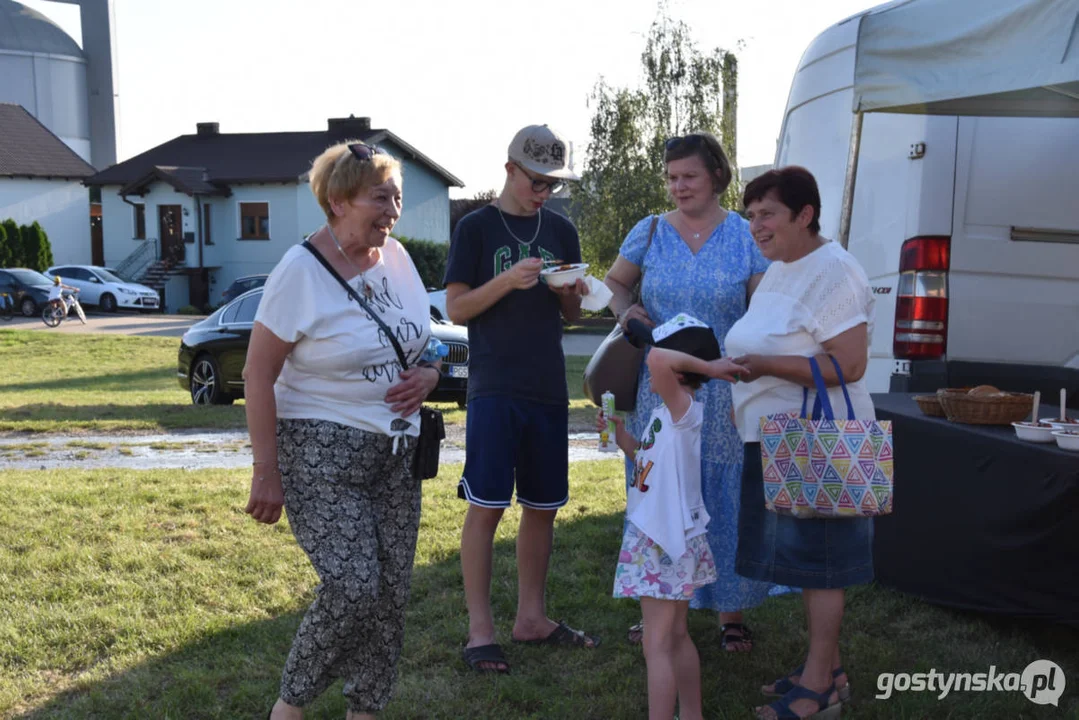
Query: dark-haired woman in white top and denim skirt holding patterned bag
[[814, 302]]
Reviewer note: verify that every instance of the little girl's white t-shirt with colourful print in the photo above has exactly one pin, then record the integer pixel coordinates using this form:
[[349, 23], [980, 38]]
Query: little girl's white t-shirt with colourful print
[[665, 501]]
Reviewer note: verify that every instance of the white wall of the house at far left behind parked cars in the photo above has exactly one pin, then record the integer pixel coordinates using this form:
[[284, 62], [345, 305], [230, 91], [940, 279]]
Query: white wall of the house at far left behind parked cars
[[61, 207]]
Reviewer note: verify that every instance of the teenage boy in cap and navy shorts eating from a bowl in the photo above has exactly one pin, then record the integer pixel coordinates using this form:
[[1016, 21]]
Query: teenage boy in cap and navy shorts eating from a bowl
[[518, 404]]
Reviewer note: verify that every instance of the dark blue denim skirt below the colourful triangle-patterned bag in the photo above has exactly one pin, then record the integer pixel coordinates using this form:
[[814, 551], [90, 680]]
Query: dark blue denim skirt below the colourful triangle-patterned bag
[[813, 553]]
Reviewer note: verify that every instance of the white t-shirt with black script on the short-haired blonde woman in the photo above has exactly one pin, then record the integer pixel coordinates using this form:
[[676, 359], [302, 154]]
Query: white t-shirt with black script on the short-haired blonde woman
[[343, 365]]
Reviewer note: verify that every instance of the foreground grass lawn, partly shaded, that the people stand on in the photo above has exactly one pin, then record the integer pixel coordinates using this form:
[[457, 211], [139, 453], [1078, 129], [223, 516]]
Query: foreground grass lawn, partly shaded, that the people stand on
[[152, 595]]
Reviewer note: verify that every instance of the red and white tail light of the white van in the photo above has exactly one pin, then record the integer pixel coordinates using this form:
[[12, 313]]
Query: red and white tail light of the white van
[[922, 300]]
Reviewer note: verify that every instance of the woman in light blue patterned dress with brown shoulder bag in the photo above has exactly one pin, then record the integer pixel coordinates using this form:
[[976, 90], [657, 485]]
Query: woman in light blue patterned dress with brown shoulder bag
[[701, 260]]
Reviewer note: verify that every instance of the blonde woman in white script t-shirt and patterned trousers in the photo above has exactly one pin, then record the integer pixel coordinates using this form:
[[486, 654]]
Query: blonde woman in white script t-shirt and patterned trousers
[[334, 419]]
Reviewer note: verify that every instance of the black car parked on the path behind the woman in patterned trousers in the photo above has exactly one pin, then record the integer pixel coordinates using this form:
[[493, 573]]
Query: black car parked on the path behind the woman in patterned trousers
[[213, 354]]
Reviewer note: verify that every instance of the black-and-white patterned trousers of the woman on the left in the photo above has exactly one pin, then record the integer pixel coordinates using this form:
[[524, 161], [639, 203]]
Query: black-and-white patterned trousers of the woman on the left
[[356, 511]]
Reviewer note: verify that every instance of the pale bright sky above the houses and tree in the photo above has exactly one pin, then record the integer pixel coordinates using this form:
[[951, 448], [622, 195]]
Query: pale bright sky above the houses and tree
[[455, 79]]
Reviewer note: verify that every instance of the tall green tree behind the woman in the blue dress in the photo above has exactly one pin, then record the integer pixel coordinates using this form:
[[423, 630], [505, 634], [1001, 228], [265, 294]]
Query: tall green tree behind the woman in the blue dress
[[685, 91]]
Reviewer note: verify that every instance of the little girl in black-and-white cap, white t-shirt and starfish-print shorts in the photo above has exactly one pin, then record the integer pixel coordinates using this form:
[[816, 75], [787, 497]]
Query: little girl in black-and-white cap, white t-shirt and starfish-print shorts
[[665, 554]]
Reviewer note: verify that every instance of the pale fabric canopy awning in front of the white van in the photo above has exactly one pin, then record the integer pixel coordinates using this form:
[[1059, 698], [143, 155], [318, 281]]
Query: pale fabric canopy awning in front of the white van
[[971, 58]]
